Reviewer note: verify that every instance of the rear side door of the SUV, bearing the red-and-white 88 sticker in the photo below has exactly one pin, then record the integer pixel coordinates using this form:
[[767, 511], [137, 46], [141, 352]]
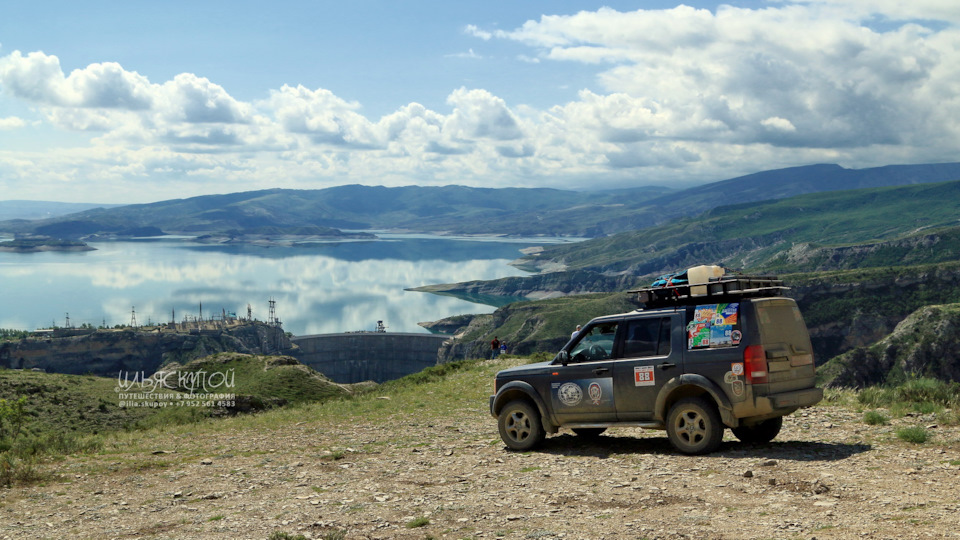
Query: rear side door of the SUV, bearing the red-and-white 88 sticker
[[651, 354]]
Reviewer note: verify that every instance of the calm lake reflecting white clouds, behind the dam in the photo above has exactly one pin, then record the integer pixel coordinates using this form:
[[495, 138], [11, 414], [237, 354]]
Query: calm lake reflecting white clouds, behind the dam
[[323, 288]]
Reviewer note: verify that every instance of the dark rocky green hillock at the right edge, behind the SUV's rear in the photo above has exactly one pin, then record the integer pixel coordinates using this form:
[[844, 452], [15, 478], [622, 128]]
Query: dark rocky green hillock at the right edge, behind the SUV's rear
[[925, 344]]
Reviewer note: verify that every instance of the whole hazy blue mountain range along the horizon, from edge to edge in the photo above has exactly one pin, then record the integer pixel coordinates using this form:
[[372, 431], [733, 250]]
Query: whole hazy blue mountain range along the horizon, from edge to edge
[[466, 210]]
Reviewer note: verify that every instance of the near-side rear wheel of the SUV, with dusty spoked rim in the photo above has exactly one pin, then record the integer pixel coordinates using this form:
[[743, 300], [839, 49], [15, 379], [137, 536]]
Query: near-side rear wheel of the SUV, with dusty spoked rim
[[694, 427]]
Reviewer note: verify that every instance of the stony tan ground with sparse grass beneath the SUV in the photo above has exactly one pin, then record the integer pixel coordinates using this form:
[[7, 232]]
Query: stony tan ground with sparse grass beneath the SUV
[[827, 475]]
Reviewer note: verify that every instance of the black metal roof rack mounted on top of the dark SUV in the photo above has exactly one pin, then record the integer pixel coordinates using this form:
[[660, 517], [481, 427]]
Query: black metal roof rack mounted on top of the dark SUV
[[727, 288]]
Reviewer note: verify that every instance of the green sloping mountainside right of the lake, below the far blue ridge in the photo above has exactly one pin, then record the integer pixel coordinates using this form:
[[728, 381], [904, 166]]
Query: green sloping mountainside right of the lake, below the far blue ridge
[[821, 231]]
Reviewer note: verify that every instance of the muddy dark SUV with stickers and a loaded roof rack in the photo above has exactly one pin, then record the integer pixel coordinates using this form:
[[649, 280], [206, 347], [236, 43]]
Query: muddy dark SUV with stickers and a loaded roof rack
[[735, 355]]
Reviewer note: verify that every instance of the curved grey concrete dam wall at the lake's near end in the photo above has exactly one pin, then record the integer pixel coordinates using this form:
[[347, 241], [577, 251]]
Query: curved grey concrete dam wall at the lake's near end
[[368, 356]]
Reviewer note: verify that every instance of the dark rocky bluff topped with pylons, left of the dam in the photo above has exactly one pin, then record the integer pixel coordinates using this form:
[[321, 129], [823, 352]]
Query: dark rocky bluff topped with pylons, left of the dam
[[108, 352]]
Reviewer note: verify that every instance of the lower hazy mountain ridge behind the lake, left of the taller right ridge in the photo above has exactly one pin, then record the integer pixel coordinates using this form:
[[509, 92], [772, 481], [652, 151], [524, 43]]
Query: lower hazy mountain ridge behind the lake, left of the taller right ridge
[[448, 209]]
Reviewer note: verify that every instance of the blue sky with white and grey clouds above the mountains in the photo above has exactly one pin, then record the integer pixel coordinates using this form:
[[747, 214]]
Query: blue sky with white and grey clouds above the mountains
[[131, 102]]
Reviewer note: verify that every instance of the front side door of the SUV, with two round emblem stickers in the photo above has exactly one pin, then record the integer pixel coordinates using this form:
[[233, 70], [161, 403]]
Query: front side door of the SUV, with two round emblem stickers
[[582, 391]]
